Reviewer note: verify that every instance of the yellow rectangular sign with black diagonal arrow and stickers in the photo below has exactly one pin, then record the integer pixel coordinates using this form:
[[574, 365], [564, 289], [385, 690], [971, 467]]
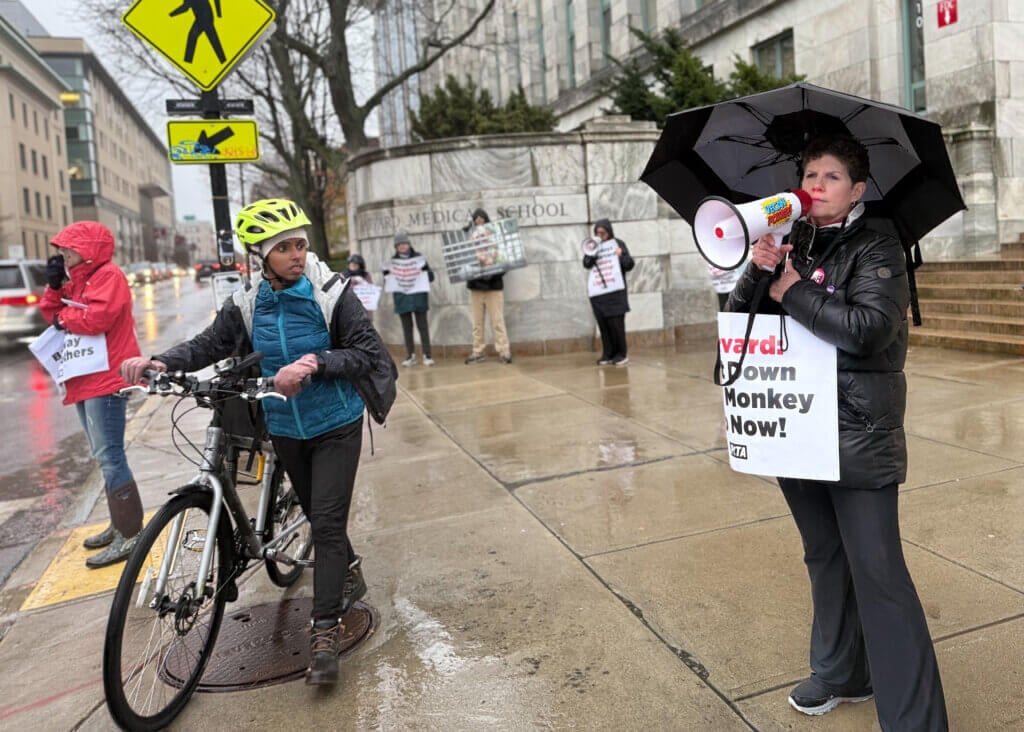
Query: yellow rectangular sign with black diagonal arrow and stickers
[[212, 142]]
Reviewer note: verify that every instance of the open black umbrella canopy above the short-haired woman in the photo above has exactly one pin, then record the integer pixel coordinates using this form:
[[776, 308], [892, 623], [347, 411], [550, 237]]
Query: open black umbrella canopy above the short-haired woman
[[749, 148]]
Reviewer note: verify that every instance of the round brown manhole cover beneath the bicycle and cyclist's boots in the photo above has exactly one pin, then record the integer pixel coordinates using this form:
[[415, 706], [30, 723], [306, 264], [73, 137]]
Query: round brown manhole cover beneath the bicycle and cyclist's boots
[[268, 644]]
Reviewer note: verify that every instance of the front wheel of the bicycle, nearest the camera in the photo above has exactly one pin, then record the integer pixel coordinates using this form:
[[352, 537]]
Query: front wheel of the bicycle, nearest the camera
[[157, 645]]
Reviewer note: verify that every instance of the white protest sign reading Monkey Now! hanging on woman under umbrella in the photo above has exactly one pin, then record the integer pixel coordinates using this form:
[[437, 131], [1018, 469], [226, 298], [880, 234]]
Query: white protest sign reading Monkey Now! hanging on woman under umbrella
[[783, 413]]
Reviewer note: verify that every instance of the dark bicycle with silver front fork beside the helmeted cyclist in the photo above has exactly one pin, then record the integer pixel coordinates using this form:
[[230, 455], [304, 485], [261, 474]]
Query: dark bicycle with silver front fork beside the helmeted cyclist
[[170, 600]]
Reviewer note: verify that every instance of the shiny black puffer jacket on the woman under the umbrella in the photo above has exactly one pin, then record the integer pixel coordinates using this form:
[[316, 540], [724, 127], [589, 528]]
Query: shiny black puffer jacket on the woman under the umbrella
[[860, 307]]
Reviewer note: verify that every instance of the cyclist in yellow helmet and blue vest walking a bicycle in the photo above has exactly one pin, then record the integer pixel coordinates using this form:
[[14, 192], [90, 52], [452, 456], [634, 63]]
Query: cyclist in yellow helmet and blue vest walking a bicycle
[[324, 355]]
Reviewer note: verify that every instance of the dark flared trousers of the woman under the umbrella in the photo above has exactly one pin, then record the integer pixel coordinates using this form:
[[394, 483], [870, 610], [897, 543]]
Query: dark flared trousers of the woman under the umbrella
[[869, 626]]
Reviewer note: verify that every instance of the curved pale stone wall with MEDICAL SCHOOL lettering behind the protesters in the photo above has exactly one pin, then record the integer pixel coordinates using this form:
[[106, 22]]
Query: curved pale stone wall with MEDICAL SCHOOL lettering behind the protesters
[[556, 186]]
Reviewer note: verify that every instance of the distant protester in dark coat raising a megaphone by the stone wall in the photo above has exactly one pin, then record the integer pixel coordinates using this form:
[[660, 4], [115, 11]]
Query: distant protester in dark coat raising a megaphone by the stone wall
[[609, 261]]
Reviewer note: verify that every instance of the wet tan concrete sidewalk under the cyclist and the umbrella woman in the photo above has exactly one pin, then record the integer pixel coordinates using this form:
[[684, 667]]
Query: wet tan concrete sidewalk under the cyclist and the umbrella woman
[[553, 545]]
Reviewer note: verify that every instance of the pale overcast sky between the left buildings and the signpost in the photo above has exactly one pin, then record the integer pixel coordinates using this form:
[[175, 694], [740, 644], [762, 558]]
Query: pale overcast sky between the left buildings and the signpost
[[192, 183]]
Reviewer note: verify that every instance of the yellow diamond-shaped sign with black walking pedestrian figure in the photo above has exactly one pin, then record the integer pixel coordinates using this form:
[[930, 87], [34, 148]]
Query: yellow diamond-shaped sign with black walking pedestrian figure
[[204, 39]]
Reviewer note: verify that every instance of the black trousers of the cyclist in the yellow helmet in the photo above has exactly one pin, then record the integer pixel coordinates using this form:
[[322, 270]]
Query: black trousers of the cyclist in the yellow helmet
[[323, 472]]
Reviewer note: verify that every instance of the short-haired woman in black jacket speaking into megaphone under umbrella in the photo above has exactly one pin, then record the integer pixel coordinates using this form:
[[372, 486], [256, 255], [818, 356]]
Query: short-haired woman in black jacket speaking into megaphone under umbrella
[[844, 278]]
